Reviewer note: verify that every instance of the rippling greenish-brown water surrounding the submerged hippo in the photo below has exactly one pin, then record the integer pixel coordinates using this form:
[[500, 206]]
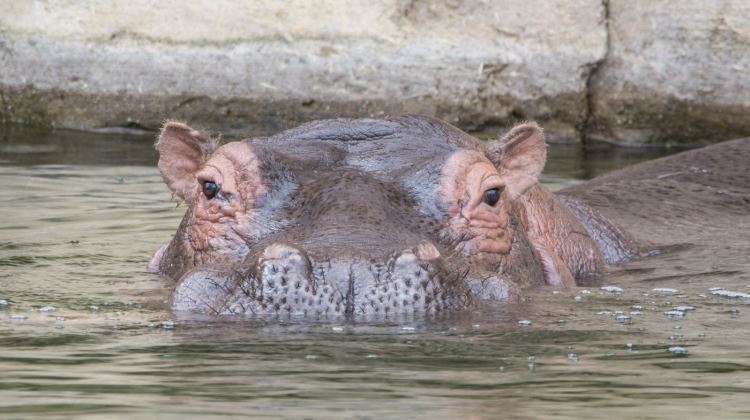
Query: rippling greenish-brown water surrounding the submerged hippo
[[82, 214]]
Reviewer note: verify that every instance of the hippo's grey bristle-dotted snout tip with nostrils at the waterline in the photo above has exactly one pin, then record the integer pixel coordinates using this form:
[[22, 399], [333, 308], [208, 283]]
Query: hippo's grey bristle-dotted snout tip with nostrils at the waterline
[[284, 280]]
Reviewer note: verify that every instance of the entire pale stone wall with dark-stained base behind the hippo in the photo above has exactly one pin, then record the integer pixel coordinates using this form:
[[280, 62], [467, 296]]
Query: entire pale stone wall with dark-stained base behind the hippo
[[583, 68]]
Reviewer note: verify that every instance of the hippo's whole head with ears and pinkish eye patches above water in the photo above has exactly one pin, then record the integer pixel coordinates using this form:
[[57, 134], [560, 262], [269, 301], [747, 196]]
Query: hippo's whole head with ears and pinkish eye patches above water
[[349, 217]]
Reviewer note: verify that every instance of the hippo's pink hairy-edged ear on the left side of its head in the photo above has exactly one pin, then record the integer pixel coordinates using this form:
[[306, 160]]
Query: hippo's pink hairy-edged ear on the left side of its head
[[182, 151]]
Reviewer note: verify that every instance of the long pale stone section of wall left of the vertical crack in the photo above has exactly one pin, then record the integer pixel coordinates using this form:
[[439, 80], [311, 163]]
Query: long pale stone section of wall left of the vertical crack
[[239, 66]]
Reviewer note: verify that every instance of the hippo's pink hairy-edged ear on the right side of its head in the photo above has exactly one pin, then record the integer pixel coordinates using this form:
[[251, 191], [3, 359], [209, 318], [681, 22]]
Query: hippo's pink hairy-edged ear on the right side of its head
[[519, 156]]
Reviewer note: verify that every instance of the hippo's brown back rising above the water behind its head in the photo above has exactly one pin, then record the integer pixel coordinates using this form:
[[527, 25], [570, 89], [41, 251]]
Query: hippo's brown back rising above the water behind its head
[[674, 199]]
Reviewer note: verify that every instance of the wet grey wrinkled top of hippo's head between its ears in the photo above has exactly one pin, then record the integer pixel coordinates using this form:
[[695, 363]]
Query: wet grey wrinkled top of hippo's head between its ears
[[388, 149]]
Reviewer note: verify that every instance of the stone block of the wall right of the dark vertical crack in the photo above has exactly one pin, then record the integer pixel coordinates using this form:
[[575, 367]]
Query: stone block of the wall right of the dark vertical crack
[[674, 72]]
